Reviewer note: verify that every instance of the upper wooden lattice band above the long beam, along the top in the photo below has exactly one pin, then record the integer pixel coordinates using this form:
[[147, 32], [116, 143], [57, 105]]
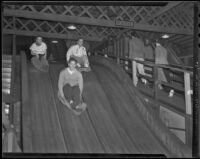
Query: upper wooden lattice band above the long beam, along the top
[[128, 13]]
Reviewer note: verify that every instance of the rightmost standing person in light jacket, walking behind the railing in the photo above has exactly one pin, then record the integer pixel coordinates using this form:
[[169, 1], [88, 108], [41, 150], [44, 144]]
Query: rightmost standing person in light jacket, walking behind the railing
[[161, 58]]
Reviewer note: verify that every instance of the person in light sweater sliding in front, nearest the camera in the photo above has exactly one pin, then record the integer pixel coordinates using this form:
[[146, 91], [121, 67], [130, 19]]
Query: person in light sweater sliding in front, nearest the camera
[[70, 88]]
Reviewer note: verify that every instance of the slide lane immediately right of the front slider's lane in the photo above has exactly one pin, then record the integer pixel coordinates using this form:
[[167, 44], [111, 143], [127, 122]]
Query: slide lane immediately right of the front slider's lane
[[112, 136]]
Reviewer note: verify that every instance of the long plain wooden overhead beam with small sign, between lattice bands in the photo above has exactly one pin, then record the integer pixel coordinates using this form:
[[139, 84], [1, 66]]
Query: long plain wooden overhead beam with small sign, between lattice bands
[[89, 21]]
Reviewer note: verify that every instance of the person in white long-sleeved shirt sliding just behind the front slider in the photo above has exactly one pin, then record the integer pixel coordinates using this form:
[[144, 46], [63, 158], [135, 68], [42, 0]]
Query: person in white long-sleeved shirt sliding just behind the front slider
[[78, 52]]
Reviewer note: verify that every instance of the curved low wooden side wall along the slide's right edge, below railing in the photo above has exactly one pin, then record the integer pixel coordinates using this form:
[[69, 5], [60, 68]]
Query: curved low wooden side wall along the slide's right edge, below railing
[[168, 139]]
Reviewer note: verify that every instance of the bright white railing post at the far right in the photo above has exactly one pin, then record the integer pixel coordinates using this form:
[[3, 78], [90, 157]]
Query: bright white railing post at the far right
[[188, 103]]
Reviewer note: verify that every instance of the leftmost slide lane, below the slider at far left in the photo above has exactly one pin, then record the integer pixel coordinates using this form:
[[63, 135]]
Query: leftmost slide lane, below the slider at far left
[[47, 135]]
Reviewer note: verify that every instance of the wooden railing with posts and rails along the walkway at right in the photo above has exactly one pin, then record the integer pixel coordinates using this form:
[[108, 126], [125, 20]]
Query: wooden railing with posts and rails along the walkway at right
[[185, 88]]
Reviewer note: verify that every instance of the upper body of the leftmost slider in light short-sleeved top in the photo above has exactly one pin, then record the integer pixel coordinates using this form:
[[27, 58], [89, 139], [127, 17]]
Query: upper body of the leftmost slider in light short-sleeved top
[[39, 48]]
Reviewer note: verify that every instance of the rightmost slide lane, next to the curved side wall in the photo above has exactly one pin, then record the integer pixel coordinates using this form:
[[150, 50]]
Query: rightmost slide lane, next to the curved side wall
[[127, 115]]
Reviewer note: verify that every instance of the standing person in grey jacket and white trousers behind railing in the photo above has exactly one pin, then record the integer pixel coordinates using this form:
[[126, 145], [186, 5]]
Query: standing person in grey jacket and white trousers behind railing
[[136, 52]]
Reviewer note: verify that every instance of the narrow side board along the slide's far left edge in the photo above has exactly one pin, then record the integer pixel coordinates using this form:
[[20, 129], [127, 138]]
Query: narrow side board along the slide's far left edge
[[26, 141]]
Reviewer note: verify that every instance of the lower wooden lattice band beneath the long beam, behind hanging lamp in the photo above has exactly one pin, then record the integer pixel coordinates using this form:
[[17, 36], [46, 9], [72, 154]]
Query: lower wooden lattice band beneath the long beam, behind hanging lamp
[[23, 24]]
